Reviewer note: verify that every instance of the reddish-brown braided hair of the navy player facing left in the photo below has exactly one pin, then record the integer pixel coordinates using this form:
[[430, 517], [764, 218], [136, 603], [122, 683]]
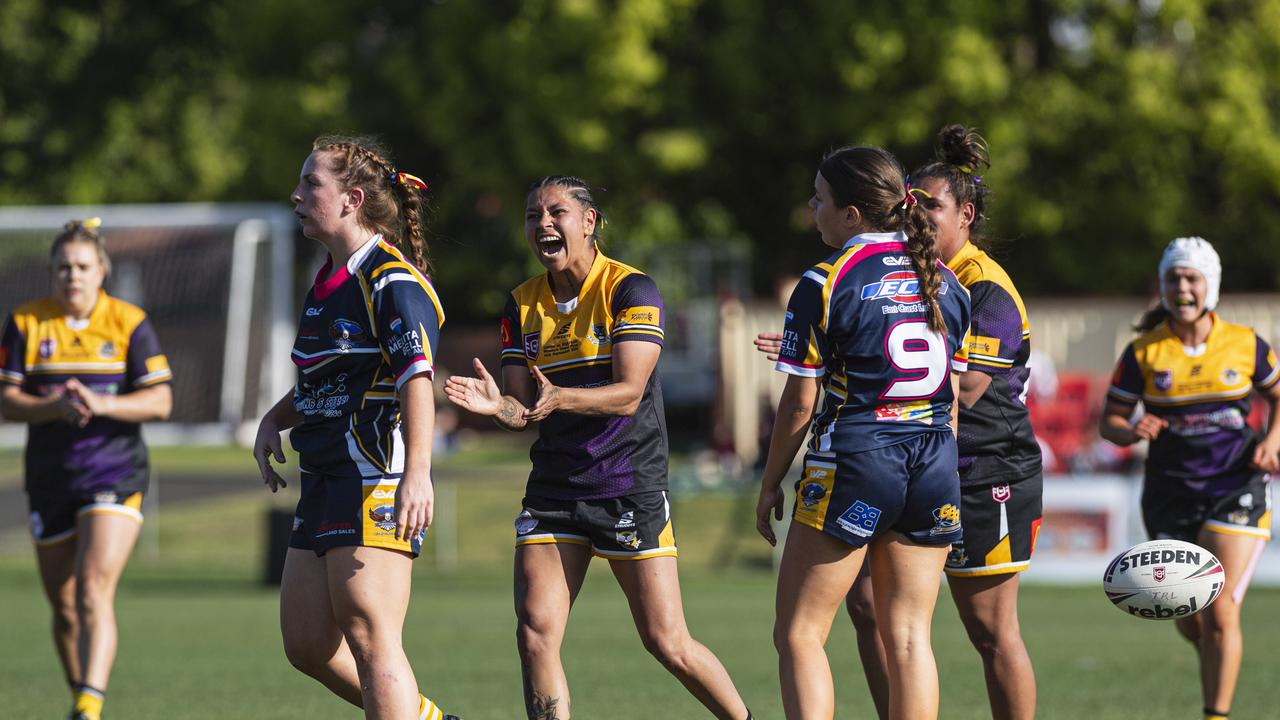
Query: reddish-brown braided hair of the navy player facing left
[[394, 203]]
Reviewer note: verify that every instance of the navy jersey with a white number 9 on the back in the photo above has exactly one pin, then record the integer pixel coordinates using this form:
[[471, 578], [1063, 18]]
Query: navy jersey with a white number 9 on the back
[[857, 321]]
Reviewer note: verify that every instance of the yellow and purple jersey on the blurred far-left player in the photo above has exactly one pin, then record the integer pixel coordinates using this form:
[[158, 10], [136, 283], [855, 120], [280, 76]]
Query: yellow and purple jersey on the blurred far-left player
[[113, 352]]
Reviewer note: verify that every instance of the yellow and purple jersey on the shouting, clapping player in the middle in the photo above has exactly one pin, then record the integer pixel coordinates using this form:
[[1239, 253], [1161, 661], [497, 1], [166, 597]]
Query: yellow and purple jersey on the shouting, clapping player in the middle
[[580, 457]]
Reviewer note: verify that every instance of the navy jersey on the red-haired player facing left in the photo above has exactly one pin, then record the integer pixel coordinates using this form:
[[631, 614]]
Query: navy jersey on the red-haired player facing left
[[365, 331]]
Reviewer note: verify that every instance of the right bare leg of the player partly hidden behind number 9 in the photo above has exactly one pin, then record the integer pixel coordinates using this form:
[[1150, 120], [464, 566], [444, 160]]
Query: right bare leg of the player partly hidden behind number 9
[[989, 609]]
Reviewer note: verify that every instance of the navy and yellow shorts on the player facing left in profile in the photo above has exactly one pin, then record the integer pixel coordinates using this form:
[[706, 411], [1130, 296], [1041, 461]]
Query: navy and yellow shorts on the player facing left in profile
[[348, 512]]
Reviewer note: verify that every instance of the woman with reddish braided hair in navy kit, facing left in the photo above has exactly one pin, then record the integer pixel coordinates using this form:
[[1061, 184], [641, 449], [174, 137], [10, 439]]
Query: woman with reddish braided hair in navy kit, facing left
[[363, 417]]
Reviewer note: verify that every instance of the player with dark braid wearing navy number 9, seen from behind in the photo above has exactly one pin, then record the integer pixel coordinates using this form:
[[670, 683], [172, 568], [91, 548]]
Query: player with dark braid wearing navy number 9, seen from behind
[[877, 334]]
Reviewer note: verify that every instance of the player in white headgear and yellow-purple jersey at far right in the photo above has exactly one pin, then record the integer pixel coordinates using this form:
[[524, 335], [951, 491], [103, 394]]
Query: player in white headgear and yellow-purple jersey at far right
[[1208, 471]]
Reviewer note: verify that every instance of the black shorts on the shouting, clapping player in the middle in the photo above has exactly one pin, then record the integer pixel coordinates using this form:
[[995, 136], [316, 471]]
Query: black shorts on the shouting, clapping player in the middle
[[634, 527]]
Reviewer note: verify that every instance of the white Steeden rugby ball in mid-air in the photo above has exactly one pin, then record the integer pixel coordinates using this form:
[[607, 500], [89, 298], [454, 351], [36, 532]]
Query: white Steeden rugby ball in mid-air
[[1164, 580]]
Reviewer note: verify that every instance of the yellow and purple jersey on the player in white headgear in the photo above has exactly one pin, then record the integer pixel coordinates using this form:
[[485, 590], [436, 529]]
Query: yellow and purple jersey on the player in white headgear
[[1204, 395]]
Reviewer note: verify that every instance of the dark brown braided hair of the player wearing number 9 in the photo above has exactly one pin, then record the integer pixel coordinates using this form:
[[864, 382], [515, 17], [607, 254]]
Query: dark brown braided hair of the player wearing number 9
[[871, 180]]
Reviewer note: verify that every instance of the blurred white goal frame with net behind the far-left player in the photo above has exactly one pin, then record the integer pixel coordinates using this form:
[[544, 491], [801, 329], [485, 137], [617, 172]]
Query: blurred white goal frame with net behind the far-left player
[[217, 280]]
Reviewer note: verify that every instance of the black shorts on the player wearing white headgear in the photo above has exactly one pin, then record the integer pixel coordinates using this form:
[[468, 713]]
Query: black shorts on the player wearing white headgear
[[1171, 512]]
